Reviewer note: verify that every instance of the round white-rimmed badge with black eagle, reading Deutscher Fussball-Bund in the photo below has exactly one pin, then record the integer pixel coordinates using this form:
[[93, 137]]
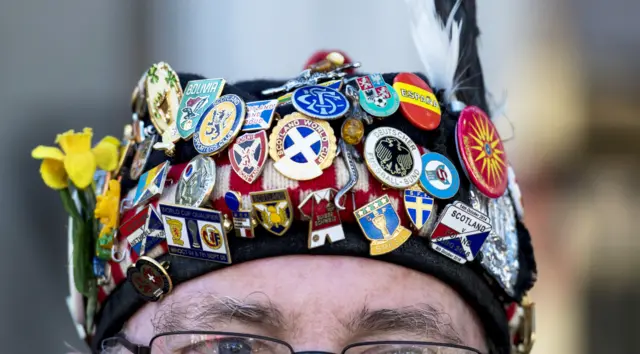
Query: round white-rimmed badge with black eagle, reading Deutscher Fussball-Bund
[[392, 157]]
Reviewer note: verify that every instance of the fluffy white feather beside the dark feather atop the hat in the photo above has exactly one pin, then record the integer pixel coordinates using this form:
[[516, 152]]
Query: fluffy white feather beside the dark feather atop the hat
[[437, 43]]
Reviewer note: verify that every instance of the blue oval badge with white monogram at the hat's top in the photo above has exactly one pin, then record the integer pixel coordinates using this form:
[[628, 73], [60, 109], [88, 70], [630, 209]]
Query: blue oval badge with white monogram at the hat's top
[[320, 102]]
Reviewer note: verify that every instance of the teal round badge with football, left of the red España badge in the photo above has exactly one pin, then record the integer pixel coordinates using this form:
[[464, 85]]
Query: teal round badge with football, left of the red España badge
[[376, 96]]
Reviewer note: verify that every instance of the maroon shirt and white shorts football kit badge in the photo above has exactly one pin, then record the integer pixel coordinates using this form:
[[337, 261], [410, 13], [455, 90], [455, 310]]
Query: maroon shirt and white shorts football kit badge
[[324, 217]]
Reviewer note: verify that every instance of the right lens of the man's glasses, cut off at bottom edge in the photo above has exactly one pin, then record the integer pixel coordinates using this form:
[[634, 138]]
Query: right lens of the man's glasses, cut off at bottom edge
[[408, 348]]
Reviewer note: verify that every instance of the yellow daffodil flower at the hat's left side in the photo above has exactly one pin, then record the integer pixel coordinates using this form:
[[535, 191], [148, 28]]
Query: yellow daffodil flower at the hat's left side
[[76, 161]]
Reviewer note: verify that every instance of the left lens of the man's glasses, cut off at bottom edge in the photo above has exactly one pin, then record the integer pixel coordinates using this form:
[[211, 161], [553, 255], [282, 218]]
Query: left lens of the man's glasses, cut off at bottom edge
[[215, 344]]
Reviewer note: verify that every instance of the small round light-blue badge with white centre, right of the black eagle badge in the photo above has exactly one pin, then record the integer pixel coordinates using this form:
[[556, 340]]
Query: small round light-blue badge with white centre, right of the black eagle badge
[[439, 177]]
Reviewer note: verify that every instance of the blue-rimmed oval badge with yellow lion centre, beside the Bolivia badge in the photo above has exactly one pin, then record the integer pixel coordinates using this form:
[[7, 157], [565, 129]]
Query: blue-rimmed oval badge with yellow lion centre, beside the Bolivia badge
[[220, 124]]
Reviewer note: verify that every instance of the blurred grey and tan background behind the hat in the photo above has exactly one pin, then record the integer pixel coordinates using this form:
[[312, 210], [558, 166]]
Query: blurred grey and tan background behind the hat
[[569, 70]]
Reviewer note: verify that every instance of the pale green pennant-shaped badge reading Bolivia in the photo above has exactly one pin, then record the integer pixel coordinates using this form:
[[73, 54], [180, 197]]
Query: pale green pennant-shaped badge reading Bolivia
[[198, 95]]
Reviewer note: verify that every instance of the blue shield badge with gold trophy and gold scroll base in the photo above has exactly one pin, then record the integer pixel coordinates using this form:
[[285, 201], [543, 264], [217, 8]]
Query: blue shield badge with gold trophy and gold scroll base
[[381, 225]]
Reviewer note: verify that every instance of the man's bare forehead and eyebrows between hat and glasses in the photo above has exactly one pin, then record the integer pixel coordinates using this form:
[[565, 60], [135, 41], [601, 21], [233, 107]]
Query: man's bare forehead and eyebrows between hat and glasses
[[315, 303]]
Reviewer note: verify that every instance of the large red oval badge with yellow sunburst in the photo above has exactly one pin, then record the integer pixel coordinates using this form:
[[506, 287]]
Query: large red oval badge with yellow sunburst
[[481, 152]]
